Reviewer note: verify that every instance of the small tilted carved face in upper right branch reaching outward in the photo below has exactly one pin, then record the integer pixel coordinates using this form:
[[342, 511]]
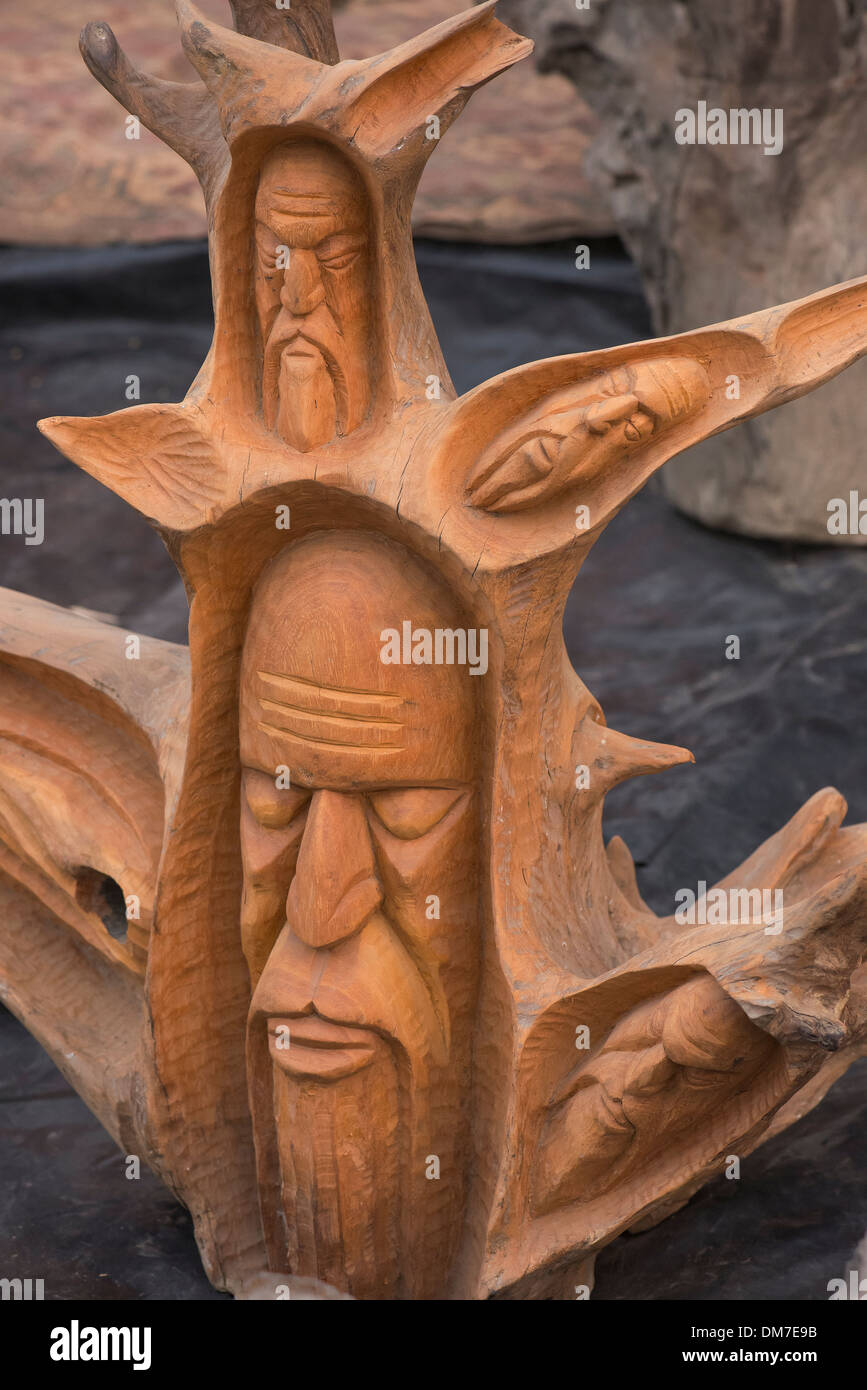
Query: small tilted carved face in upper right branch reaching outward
[[587, 432]]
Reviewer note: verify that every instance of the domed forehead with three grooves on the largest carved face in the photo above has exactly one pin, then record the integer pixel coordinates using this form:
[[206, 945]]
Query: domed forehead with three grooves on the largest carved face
[[322, 683]]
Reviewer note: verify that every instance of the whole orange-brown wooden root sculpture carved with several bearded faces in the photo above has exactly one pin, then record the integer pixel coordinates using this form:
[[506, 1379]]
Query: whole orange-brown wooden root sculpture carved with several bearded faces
[[388, 1013]]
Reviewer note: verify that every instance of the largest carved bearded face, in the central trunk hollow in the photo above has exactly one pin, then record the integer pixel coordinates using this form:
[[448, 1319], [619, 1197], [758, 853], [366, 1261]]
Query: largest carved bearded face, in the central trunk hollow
[[361, 918]]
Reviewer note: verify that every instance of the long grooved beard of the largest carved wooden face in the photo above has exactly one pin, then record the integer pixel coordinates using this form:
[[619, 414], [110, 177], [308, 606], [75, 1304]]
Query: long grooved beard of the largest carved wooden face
[[352, 1204]]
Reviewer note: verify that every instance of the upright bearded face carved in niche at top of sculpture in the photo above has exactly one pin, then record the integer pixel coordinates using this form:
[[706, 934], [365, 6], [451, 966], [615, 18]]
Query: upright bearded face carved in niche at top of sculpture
[[313, 294]]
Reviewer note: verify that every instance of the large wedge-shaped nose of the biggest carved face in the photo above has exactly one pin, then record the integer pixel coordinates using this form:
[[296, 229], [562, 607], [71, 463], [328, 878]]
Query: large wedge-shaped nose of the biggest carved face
[[336, 886]]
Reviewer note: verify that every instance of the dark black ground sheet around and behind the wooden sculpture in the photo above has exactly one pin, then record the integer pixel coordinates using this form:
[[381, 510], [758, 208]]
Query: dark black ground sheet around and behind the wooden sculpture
[[647, 629]]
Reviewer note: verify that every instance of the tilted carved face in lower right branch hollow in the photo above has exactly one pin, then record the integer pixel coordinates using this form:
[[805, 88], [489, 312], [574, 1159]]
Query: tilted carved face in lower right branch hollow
[[668, 1070]]
